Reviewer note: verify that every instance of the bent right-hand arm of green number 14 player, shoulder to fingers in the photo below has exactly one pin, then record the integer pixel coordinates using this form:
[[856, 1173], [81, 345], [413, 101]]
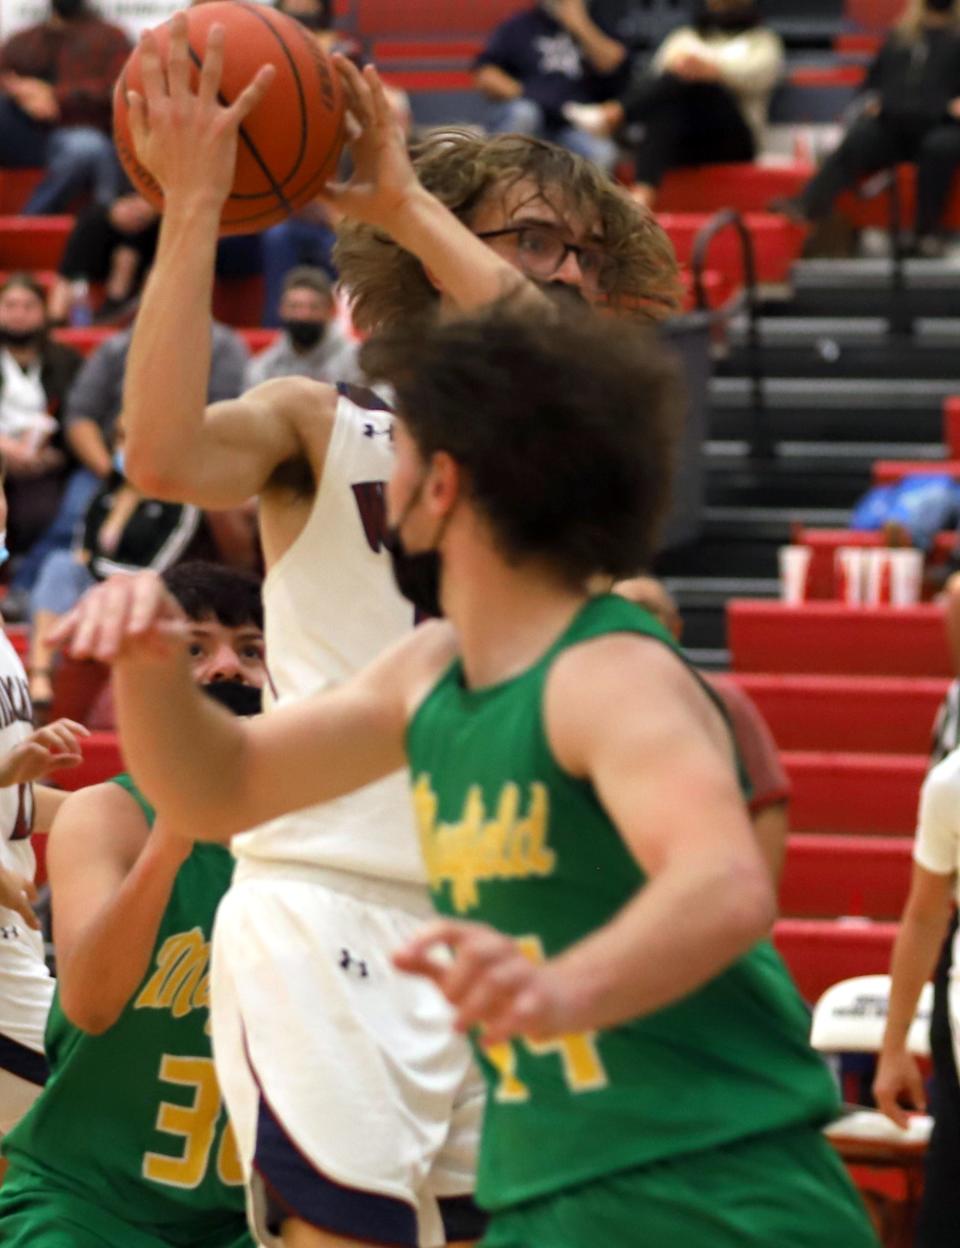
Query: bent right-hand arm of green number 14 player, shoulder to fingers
[[624, 714]]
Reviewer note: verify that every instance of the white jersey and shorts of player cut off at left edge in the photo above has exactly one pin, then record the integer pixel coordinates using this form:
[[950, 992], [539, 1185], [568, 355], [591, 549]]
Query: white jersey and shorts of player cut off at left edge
[[27, 988]]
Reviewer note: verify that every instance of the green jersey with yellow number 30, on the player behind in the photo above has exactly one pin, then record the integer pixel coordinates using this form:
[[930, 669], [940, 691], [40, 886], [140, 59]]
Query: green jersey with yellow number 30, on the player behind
[[133, 1119]]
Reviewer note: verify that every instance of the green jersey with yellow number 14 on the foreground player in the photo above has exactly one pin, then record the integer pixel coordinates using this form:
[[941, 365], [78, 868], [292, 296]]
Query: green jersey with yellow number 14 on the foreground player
[[511, 839]]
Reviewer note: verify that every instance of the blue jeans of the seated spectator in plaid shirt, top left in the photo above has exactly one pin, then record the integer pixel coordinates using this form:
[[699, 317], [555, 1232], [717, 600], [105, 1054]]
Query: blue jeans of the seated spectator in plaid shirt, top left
[[77, 159]]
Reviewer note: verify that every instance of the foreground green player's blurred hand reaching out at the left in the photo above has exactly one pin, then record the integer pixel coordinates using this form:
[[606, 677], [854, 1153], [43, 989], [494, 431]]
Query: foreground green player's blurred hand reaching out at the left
[[124, 618]]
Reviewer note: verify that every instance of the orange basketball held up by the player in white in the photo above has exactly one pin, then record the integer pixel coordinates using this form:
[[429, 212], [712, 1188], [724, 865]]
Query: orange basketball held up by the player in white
[[291, 142]]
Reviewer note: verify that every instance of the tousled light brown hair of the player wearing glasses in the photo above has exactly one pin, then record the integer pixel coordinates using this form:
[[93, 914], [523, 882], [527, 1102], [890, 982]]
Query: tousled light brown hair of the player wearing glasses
[[461, 169]]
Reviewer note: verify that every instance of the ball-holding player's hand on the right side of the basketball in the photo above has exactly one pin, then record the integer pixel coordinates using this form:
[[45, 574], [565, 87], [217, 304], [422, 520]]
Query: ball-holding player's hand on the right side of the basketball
[[384, 180]]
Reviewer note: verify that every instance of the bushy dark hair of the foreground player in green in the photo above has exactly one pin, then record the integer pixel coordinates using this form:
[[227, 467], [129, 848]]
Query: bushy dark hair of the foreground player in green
[[565, 425]]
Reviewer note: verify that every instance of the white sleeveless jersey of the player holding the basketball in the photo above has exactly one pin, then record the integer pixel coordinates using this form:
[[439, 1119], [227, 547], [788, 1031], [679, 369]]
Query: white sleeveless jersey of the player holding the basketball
[[331, 607]]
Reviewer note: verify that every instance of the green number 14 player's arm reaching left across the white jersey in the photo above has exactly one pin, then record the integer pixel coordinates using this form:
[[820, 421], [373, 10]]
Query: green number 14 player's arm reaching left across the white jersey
[[209, 772]]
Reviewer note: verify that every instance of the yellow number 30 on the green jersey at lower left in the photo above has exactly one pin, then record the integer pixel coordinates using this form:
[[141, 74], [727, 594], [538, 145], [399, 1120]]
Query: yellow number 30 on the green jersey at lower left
[[197, 1124]]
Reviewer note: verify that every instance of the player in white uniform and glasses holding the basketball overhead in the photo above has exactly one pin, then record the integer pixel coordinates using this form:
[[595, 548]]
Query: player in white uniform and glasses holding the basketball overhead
[[356, 1108]]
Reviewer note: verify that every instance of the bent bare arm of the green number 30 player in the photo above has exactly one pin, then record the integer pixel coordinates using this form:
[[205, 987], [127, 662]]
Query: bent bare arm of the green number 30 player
[[110, 879]]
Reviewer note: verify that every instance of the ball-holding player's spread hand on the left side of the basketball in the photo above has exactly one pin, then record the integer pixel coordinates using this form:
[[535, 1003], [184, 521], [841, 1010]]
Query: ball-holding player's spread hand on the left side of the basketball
[[187, 138]]
